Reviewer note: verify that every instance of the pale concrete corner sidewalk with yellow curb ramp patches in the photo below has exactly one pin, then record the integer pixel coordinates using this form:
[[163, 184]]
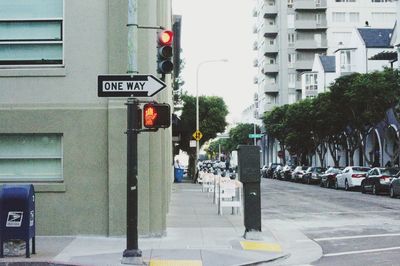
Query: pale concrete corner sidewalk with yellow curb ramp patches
[[196, 235]]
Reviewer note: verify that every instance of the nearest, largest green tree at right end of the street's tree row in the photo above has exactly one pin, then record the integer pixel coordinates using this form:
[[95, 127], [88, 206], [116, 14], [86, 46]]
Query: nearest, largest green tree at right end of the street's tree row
[[365, 99]]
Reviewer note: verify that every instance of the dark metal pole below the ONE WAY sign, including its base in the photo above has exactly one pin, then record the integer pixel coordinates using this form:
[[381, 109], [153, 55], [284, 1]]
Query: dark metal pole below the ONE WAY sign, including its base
[[132, 254]]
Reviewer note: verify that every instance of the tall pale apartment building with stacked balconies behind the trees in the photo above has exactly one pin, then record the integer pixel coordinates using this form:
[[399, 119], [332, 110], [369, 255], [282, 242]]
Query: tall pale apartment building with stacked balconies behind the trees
[[291, 32]]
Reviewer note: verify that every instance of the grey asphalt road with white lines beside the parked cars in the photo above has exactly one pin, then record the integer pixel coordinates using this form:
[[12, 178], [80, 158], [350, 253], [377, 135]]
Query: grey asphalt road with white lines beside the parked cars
[[351, 228]]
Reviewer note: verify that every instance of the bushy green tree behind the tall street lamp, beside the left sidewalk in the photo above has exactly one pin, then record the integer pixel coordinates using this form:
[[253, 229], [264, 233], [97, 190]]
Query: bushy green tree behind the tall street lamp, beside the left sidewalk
[[212, 120]]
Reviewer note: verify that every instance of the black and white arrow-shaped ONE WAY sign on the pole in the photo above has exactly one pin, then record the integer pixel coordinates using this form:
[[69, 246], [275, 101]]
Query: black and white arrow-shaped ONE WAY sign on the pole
[[128, 85]]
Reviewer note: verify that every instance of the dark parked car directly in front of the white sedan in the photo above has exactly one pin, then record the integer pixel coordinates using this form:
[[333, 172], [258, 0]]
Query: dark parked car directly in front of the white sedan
[[378, 180]]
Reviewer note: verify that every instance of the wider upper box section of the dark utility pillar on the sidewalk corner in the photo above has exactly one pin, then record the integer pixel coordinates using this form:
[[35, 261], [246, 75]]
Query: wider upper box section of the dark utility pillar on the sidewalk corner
[[249, 163]]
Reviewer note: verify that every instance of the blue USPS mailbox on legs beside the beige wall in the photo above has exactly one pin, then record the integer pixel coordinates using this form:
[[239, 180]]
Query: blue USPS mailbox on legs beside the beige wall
[[17, 215]]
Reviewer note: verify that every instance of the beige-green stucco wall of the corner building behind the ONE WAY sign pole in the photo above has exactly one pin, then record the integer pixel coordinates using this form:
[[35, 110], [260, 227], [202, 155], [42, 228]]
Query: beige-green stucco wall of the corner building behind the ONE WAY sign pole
[[92, 198]]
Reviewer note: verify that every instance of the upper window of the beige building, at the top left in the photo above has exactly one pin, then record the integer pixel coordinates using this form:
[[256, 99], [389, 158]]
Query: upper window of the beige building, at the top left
[[31, 32]]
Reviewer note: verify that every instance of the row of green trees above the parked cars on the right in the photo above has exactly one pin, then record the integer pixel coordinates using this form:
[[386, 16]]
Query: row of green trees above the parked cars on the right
[[335, 120]]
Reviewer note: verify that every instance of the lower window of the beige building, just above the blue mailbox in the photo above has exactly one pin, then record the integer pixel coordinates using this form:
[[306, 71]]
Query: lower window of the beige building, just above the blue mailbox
[[30, 157]]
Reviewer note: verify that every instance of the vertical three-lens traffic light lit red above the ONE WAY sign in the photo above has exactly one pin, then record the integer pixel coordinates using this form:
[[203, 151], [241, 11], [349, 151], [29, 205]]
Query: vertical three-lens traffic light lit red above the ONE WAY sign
[[164, 52]]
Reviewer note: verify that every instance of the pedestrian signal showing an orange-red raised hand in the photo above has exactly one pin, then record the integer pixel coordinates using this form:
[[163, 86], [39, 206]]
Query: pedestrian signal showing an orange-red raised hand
[[156, 115]]
